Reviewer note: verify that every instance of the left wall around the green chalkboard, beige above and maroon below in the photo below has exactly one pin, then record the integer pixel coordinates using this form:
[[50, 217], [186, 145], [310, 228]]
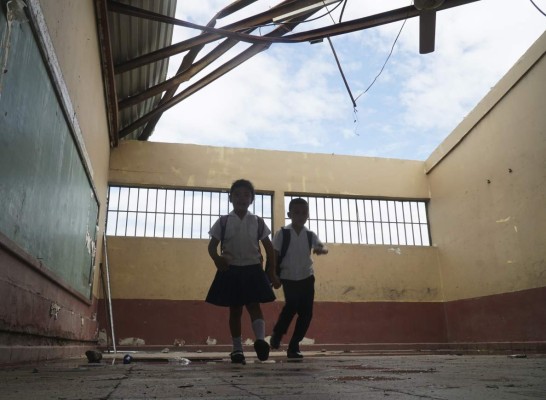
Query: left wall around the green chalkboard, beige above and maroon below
[[30, 331]]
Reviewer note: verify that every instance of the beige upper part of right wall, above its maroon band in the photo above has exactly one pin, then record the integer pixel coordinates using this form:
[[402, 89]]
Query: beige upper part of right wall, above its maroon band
[[488, 223]]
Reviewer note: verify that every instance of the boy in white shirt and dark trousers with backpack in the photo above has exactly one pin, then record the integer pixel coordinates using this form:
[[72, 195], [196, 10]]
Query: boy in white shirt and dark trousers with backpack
[[298, 281]]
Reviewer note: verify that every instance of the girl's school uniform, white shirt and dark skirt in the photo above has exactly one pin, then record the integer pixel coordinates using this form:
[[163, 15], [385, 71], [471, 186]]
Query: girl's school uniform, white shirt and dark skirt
[[245, 281]]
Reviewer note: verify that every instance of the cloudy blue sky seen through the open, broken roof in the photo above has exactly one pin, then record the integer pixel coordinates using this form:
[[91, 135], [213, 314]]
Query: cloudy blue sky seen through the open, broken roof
[[291, 97]]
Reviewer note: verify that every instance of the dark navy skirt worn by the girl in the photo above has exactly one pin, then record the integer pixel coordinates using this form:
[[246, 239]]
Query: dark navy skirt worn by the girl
[[240, 285]]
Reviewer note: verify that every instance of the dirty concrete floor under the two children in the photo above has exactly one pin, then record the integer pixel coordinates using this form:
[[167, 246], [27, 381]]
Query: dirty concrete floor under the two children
[[321, 375]]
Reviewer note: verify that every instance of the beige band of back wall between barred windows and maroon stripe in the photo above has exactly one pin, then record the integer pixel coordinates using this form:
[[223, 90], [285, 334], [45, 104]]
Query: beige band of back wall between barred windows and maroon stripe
[[180, 269]]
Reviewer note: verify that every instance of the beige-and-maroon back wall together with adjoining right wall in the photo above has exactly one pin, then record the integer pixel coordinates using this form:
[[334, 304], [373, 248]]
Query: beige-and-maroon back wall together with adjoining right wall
[[482, 281]]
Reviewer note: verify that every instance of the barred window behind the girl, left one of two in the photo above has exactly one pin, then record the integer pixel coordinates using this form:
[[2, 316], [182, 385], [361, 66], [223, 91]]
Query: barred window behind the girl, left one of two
[[172, 213]]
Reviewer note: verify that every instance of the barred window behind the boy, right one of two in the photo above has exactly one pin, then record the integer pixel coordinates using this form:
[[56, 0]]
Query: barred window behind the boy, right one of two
[[367, 221]]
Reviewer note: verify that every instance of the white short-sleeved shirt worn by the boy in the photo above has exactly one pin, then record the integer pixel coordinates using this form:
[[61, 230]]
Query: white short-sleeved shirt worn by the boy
[[297, 263]]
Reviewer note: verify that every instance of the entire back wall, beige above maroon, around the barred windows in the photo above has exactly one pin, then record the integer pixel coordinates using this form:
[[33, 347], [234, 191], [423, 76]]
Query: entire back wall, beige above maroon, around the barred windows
[[389, 293]]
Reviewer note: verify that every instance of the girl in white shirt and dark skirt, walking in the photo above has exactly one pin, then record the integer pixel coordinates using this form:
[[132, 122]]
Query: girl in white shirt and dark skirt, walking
[[240, 279]]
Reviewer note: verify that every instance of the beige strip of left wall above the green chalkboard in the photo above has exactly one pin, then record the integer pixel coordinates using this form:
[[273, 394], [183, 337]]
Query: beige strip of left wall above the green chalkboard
[[73, 31]]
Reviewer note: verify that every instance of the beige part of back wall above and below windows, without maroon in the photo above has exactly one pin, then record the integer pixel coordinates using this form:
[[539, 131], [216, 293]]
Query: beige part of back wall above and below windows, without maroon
[[163, 269]]
